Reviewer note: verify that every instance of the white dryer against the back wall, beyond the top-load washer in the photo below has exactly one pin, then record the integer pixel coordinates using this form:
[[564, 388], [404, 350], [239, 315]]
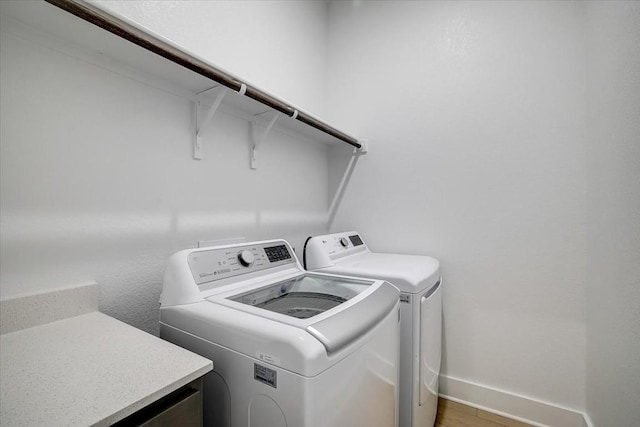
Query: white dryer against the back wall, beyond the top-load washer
[[418, 279]]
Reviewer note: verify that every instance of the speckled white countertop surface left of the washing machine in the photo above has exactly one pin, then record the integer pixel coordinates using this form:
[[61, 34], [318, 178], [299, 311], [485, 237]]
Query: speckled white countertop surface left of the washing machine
[[87, 370]]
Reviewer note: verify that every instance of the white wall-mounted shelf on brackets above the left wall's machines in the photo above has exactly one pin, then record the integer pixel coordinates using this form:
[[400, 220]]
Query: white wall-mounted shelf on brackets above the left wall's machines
[[82, 35]]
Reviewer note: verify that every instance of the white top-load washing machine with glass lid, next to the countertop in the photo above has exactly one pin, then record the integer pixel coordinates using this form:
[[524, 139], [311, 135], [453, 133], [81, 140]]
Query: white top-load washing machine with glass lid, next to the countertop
[[289, 348]]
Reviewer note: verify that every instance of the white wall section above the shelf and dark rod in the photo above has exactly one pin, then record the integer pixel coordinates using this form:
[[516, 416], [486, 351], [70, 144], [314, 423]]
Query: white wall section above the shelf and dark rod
[[279, 46]]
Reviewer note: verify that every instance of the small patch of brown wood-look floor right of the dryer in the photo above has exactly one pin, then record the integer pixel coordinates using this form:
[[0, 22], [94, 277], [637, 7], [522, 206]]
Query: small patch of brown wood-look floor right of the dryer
[[453, 414]]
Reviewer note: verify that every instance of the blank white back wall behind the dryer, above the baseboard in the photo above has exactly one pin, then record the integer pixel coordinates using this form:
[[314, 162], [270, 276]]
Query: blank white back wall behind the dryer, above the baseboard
[[476, 115]]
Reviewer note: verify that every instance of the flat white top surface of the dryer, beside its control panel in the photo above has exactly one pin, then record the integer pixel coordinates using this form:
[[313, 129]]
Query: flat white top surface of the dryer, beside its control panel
[[409, 273]]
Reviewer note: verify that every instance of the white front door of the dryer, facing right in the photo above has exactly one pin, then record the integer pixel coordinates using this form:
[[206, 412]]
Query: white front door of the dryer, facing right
[[430, 345]]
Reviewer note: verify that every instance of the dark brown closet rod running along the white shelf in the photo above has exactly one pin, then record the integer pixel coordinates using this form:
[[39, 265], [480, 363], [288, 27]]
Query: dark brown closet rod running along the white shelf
[[131, 33]]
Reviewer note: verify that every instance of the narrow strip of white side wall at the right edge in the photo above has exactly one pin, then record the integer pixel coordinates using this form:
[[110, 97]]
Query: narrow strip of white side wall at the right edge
[[613, 280]]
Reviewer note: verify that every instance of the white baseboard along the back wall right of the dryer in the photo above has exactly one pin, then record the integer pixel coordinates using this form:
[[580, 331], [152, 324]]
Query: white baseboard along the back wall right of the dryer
[[520, 408]]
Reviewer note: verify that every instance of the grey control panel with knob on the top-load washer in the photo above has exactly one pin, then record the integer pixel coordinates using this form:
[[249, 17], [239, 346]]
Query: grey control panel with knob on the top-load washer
[[221, 263]]
